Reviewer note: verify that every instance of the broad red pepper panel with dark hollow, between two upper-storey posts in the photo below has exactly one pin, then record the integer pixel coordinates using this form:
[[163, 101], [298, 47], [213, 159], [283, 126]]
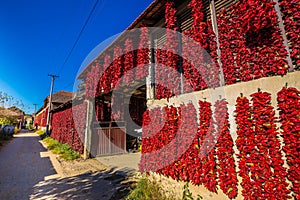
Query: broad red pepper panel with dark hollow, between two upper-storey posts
[[246, 54]]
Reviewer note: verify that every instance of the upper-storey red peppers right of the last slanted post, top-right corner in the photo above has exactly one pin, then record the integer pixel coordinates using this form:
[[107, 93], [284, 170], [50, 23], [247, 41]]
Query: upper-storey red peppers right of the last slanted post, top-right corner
[[291, 18]]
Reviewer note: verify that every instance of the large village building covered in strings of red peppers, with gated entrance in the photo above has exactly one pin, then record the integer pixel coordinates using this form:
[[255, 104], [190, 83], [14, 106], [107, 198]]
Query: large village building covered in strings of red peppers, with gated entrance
[[226, 121]]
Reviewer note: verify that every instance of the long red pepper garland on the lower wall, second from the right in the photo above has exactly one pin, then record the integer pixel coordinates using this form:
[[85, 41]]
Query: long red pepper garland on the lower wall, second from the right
[[271, 171]]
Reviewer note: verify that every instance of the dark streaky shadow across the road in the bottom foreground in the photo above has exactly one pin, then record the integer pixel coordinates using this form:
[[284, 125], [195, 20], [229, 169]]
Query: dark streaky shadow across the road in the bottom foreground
[[101, 185]]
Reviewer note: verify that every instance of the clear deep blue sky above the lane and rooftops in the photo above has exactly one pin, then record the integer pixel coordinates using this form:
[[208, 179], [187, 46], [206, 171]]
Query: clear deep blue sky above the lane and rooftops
[[37, 35]]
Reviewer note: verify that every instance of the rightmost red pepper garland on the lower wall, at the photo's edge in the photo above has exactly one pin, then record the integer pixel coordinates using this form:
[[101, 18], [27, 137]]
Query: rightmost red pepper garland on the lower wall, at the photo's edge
[[289, 111]]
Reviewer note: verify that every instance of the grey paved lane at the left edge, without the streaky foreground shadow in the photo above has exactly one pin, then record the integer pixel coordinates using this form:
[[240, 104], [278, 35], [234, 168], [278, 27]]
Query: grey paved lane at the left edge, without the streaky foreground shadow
[[21, 167]]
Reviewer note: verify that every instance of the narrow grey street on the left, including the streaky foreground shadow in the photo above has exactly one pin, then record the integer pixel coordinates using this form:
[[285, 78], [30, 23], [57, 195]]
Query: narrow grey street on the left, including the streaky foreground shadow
[[26, 174]]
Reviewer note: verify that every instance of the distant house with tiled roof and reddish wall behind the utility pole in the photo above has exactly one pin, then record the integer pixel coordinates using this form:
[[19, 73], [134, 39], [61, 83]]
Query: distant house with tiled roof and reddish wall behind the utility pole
[[58, 99]]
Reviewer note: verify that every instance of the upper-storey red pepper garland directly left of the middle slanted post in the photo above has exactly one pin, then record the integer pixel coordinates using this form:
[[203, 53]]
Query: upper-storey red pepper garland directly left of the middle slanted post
[[201, 70]]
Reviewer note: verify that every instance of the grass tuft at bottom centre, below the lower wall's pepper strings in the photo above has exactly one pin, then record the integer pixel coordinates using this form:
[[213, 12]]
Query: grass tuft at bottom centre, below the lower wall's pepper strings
[[145, 189]]
